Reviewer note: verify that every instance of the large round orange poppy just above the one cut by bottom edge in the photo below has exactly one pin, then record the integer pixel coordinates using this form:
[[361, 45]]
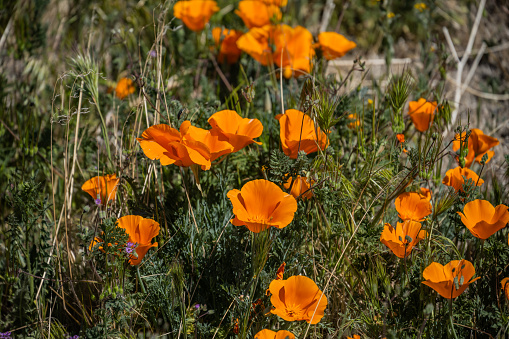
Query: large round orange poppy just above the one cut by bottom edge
[[296, 298]]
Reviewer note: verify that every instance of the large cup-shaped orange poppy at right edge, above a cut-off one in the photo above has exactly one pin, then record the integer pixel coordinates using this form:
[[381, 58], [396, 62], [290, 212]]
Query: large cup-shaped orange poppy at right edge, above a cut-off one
[[482, 219]]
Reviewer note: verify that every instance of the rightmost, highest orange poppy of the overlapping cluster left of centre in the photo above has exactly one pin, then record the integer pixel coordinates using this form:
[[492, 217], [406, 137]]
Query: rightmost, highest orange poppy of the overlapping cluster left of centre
[[228, 126]]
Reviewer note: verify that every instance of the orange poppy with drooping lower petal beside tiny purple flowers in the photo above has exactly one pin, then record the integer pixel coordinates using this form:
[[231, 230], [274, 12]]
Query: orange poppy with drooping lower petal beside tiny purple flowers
[[141, 231]]
